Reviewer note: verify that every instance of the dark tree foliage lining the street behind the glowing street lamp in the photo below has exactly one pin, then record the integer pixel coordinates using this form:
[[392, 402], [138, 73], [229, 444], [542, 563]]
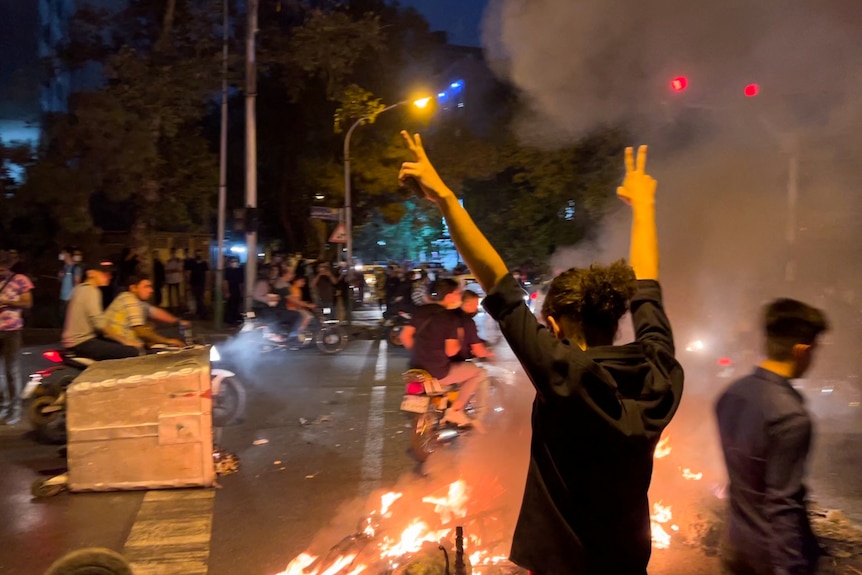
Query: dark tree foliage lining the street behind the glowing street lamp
[[137, 151]]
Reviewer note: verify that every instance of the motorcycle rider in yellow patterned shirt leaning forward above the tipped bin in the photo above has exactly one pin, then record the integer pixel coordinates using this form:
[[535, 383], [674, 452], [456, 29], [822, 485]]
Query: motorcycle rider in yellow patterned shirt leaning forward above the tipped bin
[[126, 317]]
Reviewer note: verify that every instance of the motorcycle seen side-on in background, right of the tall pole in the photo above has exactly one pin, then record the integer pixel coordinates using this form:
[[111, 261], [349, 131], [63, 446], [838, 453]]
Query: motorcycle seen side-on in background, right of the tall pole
[[327, 334]]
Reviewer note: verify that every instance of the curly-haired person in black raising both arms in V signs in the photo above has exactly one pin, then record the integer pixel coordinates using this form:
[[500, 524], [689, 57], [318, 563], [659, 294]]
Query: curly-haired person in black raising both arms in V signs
[[599, 409]]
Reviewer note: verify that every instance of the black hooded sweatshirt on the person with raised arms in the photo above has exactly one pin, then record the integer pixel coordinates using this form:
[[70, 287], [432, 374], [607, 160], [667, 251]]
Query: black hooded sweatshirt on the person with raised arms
[[597, 417]]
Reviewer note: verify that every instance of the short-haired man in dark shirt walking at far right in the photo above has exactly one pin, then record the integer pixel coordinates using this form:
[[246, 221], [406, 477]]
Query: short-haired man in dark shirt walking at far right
[[765, 433]]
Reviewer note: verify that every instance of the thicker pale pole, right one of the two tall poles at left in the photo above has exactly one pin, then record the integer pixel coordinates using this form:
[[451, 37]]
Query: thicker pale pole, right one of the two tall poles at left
[[250, 150]]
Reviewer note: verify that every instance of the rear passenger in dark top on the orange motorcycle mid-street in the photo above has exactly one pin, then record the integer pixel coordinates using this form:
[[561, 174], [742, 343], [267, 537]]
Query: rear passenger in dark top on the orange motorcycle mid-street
[[432, 337]]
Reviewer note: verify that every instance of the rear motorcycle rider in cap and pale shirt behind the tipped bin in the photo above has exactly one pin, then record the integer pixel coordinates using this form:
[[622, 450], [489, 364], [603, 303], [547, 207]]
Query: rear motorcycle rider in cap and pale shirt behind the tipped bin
[[84, 327]]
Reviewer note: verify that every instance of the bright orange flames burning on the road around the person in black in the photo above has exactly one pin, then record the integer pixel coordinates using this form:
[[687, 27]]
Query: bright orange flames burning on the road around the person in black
[[402, 535]]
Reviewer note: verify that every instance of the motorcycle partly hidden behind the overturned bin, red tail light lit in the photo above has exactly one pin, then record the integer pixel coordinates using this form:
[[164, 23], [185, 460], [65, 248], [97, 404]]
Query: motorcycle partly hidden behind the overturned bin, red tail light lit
[[45, 393]]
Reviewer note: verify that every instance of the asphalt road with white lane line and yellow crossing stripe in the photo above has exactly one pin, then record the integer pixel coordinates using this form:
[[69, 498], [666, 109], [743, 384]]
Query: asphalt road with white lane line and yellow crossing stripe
[[323, 439]]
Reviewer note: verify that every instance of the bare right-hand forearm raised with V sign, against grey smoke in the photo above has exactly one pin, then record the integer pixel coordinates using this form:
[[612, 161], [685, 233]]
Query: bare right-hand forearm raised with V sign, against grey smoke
[[638, 190]]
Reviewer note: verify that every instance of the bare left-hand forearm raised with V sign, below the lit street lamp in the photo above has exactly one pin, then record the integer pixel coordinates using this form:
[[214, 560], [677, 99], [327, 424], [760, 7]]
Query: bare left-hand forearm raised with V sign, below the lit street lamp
[[478, 253]]
